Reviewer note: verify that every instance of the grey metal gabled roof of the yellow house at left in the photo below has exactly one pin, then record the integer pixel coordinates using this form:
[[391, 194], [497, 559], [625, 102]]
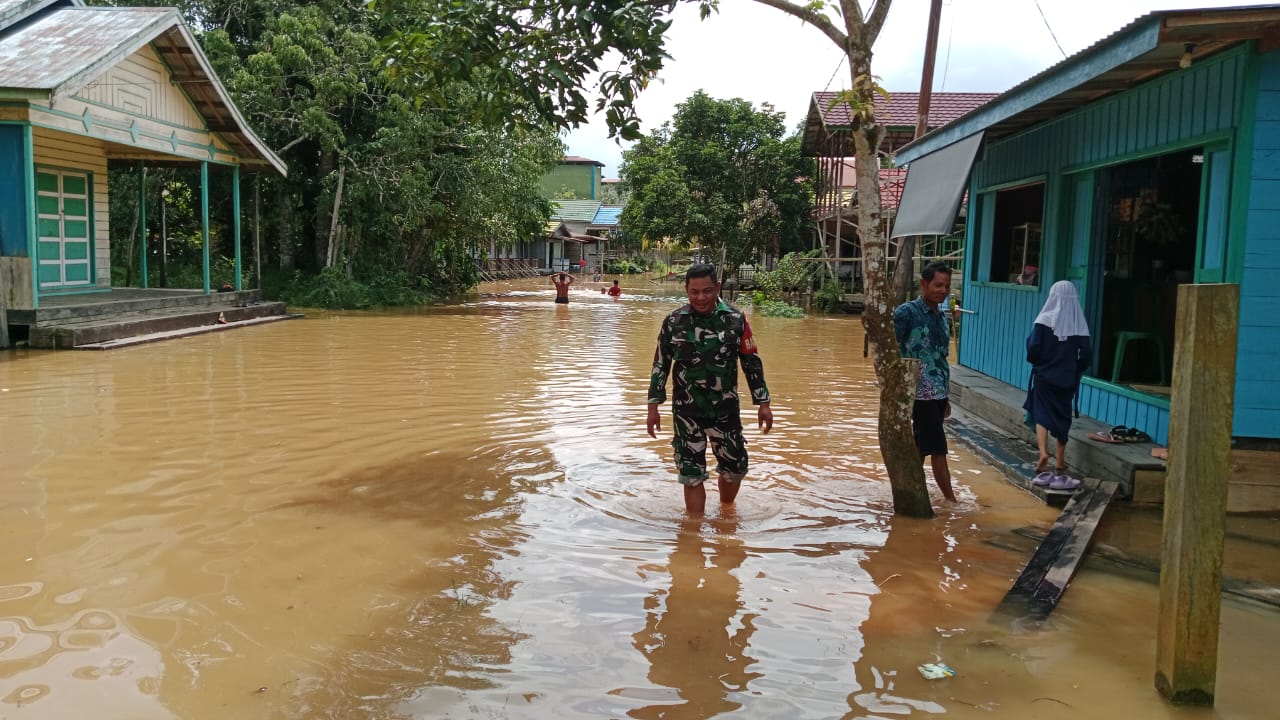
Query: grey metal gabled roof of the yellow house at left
[[63, 49]]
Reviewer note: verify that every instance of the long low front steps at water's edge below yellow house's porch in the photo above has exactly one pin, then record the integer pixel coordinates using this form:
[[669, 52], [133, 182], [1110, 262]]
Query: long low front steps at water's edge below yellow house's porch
[[104, 329]]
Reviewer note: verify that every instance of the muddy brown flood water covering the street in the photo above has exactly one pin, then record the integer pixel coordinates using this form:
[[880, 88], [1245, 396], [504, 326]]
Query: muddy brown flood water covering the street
[[456, 513]]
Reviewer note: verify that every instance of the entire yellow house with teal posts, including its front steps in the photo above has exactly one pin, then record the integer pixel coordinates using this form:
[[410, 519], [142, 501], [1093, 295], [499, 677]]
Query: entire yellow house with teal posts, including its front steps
[[84, 90]]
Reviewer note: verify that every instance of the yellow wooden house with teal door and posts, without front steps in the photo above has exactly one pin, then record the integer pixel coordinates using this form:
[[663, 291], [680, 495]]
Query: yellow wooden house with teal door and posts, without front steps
[[83, 88]]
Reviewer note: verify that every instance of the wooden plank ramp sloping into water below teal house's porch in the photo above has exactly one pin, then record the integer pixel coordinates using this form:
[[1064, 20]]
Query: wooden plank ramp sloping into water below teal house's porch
[[1040, 587]]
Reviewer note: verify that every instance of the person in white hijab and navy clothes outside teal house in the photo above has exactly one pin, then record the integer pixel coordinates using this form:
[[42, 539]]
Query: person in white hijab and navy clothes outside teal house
[[1059, 352]]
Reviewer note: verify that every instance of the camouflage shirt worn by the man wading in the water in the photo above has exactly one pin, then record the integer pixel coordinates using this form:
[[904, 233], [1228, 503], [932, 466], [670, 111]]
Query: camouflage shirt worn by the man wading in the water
[[706, 352]]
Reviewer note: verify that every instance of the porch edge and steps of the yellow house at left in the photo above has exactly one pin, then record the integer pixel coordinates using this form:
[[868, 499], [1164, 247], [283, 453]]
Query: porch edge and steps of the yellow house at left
[[122, 320]]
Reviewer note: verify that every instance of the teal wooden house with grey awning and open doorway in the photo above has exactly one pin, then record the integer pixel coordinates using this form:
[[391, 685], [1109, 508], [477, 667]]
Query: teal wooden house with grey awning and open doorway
[[1149, 161]]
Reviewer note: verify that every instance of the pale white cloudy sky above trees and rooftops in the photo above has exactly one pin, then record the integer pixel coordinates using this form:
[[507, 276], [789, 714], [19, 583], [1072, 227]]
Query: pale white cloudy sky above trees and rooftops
[[764, 56]]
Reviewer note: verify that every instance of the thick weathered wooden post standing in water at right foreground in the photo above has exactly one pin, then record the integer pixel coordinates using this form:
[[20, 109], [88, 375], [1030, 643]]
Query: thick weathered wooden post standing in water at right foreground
[[1200, 444]]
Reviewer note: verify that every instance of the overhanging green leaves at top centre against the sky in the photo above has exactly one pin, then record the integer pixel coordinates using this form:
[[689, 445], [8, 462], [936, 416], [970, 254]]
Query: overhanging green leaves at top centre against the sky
[[532, 57]]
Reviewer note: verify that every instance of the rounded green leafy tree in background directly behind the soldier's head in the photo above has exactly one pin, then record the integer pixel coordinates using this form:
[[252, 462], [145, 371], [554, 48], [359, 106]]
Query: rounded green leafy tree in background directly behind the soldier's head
[[723, 176]]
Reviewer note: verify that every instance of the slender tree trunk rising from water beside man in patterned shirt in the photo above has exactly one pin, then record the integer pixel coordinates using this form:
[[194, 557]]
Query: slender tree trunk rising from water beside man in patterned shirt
[[895, 375]]
